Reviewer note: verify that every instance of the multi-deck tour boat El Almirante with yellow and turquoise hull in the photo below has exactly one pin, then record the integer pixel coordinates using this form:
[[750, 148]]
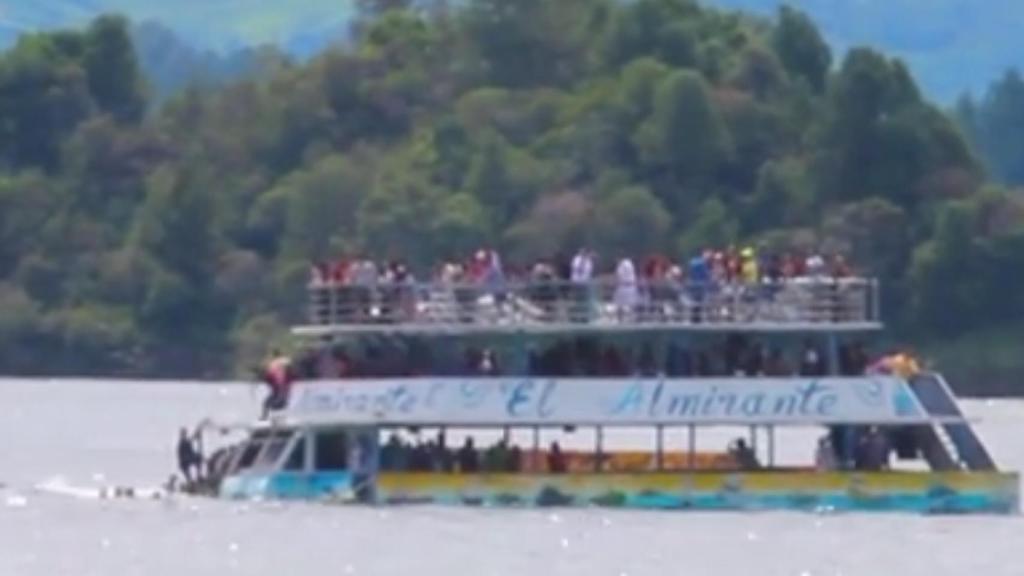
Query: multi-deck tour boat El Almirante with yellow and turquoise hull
[[397, 437]]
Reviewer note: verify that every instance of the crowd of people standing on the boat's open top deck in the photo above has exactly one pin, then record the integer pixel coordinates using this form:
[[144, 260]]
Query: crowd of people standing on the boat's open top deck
[[712, 285]]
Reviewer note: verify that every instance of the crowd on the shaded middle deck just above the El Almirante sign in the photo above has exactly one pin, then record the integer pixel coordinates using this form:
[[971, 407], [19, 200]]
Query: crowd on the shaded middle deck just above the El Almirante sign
[[736, 355]]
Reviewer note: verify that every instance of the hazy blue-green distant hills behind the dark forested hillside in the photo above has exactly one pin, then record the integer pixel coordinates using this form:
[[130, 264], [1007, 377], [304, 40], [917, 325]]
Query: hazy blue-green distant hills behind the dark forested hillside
[[953, 46]]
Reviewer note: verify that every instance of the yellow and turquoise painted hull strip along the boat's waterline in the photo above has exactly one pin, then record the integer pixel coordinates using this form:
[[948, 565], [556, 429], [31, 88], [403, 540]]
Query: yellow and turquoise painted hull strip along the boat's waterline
[[898, 492]]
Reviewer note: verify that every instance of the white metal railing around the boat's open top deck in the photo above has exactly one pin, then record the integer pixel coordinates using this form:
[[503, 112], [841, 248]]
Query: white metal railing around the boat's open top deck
[[800, 302]]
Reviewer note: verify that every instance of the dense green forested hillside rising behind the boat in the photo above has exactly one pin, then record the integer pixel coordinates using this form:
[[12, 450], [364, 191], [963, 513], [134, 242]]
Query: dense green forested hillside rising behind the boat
[[179, 242]]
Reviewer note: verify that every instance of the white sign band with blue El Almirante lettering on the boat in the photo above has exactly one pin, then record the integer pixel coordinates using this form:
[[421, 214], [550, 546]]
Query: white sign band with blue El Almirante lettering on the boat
[[621, 401]]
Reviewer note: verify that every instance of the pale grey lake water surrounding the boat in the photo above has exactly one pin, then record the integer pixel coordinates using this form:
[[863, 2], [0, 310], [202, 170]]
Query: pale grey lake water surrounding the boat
[[119, 433]]
